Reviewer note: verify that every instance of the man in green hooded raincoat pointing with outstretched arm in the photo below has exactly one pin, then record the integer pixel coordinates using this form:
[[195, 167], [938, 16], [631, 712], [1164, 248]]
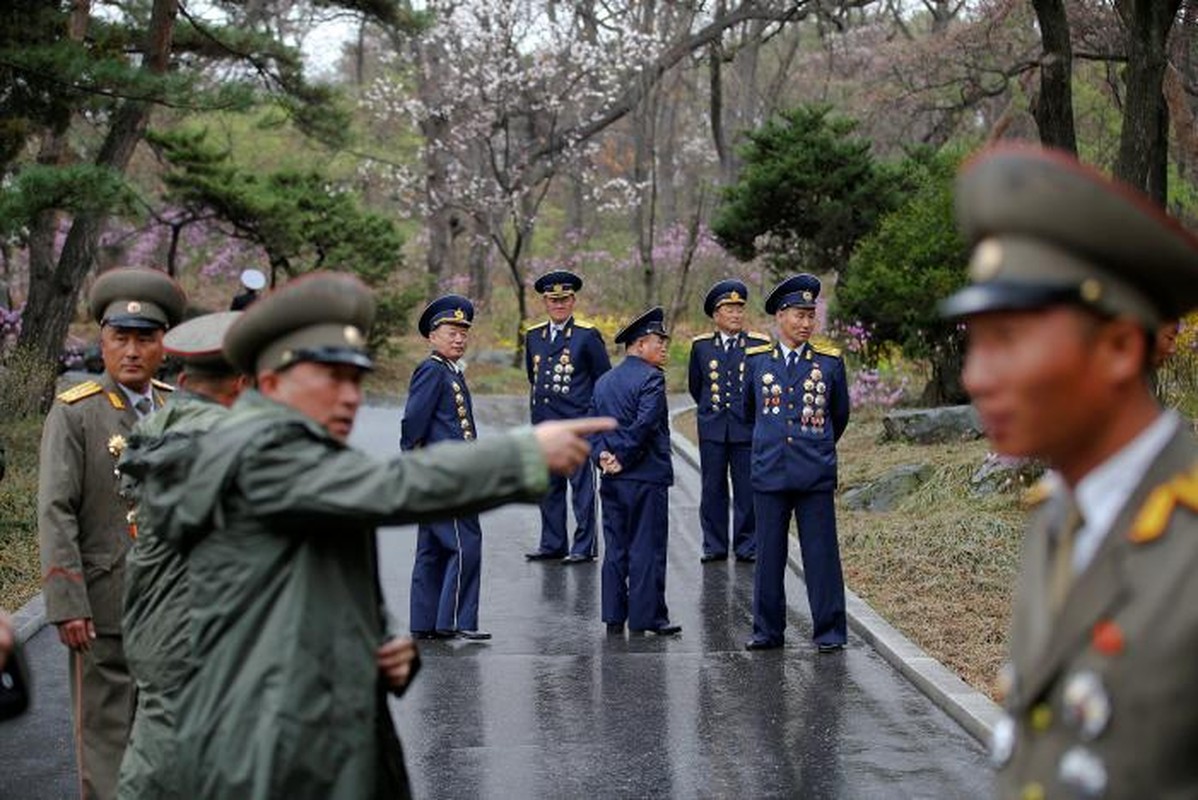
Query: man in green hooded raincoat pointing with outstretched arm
[[277, 518]]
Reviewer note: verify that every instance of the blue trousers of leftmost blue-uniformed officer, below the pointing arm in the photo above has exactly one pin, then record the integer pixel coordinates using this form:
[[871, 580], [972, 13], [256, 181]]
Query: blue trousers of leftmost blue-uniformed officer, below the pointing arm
[[446, 575]]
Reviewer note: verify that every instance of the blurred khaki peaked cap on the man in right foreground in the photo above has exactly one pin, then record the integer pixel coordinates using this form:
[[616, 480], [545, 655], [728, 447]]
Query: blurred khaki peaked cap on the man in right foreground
[[1046, 231]]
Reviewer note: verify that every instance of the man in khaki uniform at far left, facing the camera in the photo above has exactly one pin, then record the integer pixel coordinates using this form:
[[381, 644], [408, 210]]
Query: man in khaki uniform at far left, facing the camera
[[82, 519]]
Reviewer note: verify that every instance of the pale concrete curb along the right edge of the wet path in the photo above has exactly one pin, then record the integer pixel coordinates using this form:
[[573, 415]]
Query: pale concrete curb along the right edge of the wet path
[[970, 708]]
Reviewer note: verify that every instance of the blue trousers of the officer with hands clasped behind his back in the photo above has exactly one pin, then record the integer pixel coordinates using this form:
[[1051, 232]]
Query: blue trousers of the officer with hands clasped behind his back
[[637, 530]]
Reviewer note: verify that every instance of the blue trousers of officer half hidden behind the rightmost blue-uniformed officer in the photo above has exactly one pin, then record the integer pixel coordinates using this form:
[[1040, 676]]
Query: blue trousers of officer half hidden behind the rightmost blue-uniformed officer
[[718, 459]]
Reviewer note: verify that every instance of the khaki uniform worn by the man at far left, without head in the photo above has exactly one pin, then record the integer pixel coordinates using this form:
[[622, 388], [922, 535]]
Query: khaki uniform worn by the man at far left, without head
[[84, 536]]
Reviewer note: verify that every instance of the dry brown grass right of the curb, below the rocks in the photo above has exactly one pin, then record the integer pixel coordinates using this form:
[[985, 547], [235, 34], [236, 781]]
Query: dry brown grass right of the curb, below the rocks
[[942, 566]]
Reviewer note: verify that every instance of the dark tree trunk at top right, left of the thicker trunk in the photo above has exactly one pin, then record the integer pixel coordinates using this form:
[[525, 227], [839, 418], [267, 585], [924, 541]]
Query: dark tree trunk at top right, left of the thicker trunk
[[1054, 108]]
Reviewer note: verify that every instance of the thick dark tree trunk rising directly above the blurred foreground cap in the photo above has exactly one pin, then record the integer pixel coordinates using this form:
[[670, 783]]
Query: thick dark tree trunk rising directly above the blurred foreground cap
[[1142, 141]]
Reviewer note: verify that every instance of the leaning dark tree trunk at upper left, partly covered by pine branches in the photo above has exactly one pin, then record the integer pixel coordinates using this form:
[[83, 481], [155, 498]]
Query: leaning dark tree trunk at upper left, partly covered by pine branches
[[53, 298]]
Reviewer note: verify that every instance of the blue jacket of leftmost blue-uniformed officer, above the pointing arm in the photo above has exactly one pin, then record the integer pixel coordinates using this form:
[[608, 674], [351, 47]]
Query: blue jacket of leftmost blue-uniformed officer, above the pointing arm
[[439, 407]]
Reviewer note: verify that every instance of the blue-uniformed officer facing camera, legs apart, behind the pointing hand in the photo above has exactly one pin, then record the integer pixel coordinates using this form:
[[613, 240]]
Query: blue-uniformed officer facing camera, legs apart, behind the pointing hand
[[564, 359]]
